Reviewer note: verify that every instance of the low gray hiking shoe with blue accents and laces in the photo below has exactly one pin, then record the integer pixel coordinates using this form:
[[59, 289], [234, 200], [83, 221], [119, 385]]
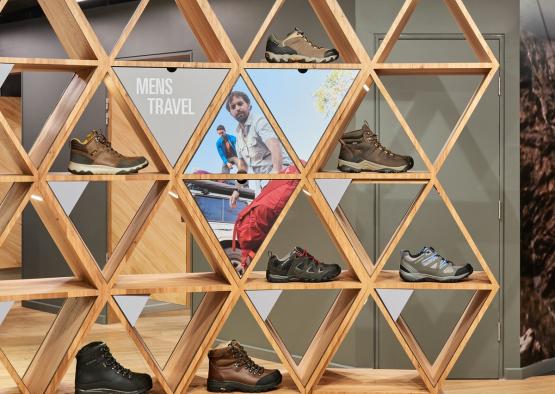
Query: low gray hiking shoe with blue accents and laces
[[428, 266]]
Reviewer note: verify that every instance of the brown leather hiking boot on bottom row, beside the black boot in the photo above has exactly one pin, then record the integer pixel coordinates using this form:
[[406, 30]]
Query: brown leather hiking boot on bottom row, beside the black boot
[[231, 369]]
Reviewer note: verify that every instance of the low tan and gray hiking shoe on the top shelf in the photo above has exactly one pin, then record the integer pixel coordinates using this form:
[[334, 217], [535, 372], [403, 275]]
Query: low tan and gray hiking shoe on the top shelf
[[297, 48]]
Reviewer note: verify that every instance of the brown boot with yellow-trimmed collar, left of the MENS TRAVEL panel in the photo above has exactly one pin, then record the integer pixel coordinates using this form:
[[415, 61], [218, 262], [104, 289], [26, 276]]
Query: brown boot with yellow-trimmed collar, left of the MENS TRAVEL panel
[[95, 155]]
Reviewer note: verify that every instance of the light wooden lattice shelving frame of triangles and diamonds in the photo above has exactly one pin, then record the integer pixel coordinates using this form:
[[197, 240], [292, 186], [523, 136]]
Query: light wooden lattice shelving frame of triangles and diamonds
[[90, 288]]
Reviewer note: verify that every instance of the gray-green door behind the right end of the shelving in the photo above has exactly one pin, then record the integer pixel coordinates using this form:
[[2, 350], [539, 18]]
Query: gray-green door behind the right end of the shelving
[[471, 177]]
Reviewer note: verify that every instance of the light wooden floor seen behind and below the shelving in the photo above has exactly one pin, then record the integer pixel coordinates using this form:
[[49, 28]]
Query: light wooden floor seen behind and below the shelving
[[23, 330]]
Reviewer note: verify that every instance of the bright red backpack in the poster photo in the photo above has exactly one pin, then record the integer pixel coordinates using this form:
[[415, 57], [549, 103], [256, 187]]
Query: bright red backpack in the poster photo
[[256, 219]]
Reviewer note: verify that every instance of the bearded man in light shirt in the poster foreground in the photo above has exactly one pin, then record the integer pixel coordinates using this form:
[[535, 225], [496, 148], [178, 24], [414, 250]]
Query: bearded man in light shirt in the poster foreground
[[258, 147]]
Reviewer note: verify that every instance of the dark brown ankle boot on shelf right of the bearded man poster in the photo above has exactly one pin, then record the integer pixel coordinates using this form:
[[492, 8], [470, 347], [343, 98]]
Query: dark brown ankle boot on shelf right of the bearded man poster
[[361, 151]]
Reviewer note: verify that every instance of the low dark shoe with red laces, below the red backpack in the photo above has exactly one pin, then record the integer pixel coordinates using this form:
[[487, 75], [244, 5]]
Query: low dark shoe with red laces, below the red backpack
[[299, 266]]
